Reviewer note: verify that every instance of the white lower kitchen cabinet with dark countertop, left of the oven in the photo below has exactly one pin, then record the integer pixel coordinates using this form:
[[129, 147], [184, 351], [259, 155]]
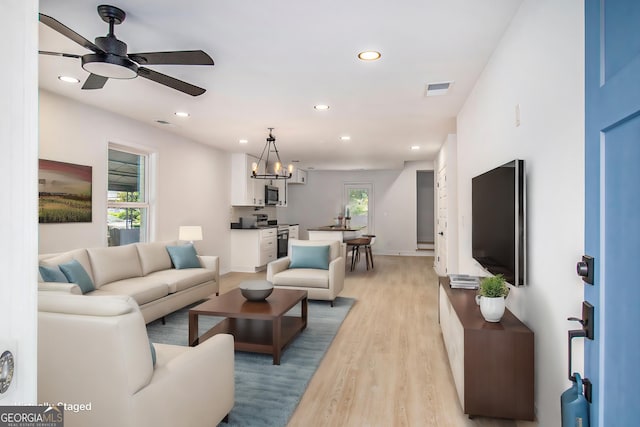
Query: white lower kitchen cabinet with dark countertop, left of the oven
[[253, 249]]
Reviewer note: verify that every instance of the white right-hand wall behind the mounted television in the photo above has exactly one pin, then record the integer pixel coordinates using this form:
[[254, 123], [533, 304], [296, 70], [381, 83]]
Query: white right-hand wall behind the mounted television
[[538, 65]]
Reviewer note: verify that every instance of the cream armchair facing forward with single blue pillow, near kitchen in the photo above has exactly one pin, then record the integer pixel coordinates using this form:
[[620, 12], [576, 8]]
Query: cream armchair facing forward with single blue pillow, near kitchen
[[320, 284]]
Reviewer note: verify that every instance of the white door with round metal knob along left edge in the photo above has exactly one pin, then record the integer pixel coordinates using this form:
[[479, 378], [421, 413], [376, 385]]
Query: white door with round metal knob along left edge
[[18, 251]]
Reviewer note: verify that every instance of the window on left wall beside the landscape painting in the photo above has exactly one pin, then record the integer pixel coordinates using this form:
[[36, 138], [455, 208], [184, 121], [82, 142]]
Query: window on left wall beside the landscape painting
[[127, 196]]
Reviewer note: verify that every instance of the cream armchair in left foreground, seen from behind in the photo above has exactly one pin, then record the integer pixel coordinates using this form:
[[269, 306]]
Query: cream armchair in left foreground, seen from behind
[[94, 356]]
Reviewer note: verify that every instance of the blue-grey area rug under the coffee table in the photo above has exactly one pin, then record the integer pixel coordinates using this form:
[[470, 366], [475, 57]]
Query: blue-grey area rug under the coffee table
[[267, 394]]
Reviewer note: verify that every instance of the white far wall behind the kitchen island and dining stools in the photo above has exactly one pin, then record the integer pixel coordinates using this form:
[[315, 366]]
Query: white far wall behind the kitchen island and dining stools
[[318, 202]]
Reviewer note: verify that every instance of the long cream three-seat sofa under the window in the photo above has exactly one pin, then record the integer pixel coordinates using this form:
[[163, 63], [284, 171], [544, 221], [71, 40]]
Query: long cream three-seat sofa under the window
[[142, 271]]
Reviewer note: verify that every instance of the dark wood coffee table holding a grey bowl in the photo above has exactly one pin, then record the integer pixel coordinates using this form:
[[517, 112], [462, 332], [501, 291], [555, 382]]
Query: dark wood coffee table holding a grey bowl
[[257, 327]]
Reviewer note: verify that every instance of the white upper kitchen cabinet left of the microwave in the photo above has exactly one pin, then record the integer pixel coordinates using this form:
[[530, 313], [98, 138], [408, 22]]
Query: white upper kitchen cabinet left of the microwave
[[245, 191]]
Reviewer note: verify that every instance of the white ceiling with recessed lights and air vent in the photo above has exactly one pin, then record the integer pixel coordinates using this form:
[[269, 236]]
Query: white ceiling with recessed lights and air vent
[[276, 59]]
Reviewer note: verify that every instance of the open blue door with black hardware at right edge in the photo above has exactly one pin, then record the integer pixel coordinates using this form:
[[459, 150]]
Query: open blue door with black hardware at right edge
[[612, 207]]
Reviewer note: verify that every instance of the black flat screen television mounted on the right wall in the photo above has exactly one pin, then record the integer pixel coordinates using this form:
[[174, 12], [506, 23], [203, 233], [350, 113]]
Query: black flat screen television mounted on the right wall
[[498, 224]]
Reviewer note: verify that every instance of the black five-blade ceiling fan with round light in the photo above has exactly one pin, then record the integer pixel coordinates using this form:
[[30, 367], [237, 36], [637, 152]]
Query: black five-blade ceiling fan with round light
[[111, 60]]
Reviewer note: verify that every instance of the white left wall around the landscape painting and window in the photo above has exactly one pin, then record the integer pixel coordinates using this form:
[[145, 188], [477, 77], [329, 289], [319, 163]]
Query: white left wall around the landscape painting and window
[[192, 180]]
